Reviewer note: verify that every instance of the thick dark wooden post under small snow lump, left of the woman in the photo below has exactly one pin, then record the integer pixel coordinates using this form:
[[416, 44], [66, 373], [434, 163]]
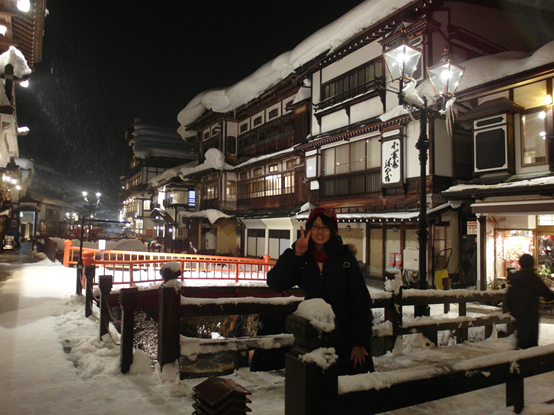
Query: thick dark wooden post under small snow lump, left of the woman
[[169, 312]]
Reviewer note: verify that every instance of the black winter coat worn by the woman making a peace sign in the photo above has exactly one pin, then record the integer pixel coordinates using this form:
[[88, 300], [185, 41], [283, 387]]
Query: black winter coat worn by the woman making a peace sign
[[341, 284]]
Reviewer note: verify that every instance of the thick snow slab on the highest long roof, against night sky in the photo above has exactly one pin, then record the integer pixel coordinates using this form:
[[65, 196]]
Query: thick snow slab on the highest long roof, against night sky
[[324, 40]]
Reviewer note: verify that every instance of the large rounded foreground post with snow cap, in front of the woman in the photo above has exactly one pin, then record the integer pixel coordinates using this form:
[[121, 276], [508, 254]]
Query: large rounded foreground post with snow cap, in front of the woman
[[311, 369]]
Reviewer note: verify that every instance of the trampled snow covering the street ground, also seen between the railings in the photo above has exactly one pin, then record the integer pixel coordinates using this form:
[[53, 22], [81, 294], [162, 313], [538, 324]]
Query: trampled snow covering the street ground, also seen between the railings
[[52, 361]]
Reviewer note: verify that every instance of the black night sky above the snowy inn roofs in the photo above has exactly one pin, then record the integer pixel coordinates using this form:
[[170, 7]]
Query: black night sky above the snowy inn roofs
[[106, 63]]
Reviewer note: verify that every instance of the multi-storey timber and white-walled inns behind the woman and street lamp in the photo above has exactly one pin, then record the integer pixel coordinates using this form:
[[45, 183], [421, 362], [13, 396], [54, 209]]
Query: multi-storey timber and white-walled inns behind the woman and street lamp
[[348, 145]]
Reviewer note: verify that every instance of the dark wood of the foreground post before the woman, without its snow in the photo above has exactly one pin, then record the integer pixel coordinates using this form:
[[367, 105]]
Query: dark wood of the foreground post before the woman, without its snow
[[309, 390]]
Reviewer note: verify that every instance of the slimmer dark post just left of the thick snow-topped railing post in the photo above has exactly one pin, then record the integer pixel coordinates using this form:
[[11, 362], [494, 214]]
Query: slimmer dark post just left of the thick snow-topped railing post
[[128, 300]]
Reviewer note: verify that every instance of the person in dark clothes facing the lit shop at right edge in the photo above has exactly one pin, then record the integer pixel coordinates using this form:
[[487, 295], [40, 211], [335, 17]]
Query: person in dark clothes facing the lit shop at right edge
[[524, 290]]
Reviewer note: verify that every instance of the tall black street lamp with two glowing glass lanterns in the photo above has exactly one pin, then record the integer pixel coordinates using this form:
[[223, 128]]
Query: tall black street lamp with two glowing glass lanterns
[[401, 62]]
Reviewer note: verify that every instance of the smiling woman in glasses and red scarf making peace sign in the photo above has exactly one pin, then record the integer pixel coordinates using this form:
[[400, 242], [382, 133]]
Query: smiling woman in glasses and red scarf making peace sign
[[323, 267]]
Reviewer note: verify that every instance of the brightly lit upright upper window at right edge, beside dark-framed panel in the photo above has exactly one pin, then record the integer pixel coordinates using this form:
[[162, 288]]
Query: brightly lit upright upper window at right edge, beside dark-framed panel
[[533, 138]]
